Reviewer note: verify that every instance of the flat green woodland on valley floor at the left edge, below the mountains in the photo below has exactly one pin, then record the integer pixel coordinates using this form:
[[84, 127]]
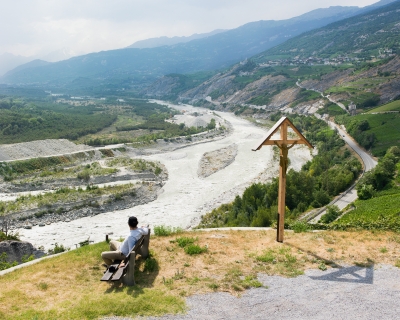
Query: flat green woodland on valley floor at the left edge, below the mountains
[[27, 120]]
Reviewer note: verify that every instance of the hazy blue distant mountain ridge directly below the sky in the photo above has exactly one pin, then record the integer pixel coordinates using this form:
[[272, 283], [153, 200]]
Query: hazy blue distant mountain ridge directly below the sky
[[132, 67]]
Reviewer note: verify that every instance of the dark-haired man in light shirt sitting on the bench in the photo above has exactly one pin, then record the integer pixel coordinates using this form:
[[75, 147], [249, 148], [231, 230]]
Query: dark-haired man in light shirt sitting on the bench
[[119, 250]]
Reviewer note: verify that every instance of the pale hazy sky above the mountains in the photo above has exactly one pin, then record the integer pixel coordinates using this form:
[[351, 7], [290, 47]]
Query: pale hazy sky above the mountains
[[32, 27]]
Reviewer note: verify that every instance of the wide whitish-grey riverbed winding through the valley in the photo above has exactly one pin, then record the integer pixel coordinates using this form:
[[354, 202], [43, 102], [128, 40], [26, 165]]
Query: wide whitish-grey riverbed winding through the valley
[[185, 196]]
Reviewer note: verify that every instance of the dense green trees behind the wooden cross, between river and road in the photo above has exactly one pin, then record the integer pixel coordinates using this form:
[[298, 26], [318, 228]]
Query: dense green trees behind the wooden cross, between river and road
[[330, 172]]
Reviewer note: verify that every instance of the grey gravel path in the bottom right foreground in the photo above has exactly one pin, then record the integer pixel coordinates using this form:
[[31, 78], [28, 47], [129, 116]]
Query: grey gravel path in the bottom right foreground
[[347, 293]]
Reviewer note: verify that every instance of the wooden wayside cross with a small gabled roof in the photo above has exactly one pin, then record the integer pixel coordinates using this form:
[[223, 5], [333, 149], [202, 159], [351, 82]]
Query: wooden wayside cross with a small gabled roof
[[284, 144]]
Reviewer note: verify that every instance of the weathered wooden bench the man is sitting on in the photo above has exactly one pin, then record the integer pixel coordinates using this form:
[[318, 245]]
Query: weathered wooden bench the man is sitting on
[[124, 269]]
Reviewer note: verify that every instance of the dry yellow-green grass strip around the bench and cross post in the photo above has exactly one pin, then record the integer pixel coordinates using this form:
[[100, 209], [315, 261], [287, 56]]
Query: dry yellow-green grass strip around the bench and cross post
[[68, 286]]
